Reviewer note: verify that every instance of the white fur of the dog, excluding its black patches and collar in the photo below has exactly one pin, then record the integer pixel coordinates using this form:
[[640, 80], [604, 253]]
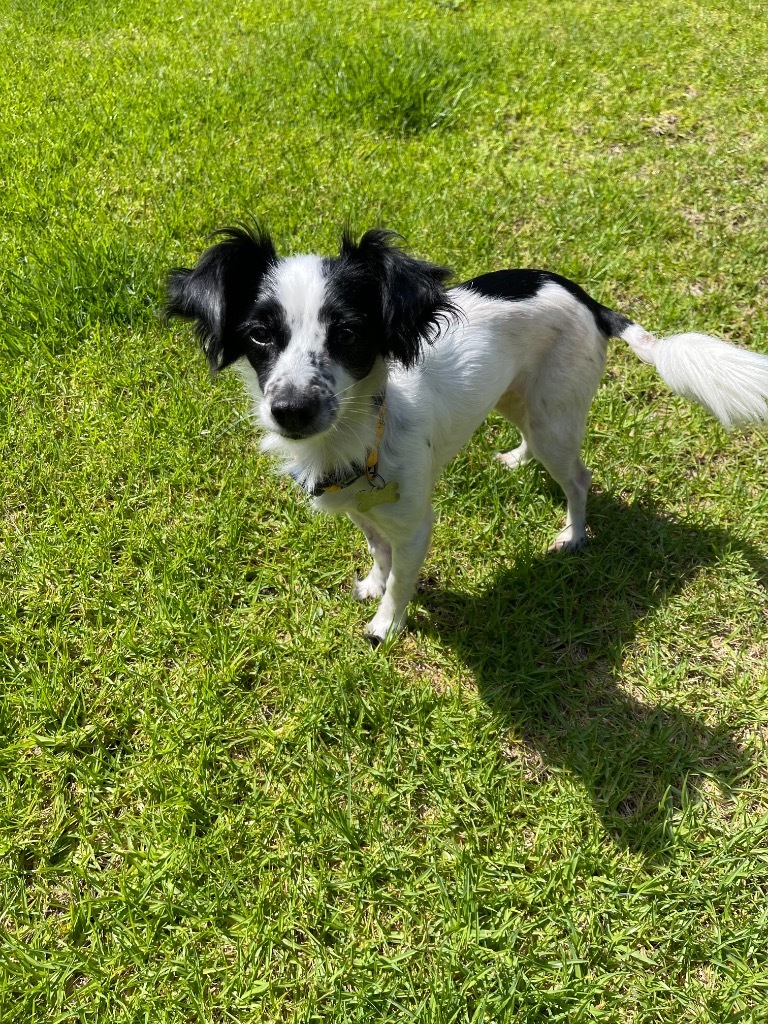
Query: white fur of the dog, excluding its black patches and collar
[[537, 361]]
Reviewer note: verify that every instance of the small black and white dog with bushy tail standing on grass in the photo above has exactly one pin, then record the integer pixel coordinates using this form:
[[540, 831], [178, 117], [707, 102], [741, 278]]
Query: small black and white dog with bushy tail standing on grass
[[368, 375]]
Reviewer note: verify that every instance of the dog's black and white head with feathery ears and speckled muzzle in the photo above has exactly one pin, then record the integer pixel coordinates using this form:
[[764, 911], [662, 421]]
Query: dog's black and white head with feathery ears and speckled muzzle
[[311, 327]]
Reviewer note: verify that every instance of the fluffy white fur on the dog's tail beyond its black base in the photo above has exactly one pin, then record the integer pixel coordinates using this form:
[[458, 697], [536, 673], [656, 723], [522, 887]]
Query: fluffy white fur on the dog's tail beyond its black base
[[732, 383]]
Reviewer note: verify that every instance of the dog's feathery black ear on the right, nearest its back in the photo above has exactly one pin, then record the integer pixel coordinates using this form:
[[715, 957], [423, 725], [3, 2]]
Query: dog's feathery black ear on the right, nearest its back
[[412, 293]]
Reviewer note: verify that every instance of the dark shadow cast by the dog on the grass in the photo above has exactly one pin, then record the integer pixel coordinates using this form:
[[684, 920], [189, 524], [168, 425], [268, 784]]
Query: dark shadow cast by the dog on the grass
[[547, 644]]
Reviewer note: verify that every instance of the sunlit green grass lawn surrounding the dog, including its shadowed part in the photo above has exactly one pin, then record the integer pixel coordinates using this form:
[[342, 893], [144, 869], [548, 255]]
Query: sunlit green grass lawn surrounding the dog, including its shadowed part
[[548, 801]]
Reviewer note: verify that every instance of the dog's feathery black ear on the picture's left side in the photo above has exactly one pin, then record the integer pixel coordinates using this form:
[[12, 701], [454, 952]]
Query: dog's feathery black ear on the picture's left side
[[220, 291]]
